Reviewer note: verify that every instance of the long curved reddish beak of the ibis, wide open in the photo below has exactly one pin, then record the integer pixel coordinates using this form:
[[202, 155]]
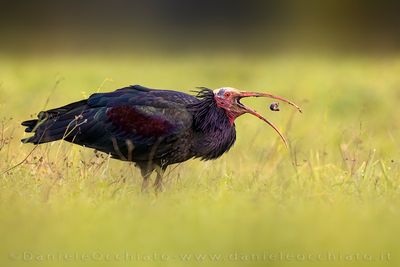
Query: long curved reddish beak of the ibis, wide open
[[255, 113]]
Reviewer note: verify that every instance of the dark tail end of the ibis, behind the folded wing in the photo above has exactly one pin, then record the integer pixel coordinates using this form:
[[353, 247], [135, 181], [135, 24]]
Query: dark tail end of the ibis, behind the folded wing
[[55, 124]]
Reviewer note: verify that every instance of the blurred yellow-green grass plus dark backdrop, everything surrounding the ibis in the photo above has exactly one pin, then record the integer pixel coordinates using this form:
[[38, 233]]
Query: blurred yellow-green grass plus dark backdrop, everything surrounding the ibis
[[331, 199]]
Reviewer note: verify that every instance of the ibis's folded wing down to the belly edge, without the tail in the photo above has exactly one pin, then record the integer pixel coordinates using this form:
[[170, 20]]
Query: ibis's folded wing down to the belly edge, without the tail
[[143, 118]]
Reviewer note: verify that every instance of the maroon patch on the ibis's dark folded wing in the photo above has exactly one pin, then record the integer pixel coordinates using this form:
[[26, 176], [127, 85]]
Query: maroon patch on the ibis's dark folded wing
[[133, 121]]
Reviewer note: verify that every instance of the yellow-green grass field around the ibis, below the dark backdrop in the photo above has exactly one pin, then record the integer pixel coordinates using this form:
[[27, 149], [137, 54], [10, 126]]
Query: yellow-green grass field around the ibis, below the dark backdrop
[[333, 199]]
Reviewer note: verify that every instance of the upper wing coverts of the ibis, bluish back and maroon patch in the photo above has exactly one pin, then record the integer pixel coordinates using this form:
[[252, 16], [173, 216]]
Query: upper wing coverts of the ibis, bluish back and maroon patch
[[143, 112]]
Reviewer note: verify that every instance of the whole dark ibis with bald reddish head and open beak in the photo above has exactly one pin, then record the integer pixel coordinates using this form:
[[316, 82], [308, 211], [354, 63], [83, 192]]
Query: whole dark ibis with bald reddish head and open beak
[[153, 128]]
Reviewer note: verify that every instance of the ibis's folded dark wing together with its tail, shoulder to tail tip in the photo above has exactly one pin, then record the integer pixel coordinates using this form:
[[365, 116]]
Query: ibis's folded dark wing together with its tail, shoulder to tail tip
[[134, 115]]
